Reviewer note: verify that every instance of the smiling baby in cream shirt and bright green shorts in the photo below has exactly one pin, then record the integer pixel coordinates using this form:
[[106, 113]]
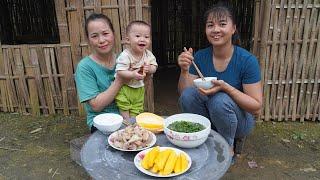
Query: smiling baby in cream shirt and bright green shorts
[[134, 63]]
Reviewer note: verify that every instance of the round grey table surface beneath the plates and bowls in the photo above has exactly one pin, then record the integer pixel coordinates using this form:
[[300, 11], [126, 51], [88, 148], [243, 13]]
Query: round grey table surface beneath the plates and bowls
[[209, 161]]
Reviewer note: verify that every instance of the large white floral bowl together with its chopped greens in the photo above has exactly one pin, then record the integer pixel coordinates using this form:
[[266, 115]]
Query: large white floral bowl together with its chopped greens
[[187, 130]]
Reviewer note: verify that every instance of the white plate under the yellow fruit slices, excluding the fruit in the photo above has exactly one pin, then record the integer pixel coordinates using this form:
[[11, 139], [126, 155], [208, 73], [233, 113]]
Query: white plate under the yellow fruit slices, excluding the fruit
[[138, 158]]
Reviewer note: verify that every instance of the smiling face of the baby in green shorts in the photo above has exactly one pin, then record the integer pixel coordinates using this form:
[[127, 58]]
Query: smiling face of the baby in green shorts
[[139, 38]]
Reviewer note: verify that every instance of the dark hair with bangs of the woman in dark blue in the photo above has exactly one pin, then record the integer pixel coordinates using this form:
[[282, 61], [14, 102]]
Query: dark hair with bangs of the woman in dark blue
[[223, 10]]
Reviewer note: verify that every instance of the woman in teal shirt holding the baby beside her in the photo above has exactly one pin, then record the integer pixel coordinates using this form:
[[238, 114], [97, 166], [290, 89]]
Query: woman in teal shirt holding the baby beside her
[[94, 75]]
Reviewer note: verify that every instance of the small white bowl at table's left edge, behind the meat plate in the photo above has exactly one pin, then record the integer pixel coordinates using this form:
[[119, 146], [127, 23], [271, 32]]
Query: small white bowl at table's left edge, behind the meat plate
[[107, 122]]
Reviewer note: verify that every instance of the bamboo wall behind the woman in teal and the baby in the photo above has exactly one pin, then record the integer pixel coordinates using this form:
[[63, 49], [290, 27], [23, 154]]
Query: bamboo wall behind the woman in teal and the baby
[[38, 79]]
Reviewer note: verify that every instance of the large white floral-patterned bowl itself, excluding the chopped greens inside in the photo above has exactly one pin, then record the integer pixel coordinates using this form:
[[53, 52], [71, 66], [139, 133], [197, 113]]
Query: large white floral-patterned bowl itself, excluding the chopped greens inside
[[187, 140]]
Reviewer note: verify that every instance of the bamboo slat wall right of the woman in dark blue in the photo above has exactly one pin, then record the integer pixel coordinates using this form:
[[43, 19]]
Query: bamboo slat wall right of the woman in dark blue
[[287, 43]]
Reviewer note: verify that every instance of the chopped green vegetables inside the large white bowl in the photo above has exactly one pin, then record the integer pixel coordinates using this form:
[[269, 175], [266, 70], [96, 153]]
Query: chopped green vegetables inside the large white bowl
[[185, 126]]
